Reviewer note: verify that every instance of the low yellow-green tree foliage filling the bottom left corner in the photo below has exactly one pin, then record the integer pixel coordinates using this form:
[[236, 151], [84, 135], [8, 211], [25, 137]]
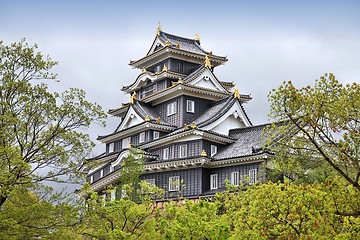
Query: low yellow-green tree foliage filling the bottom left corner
[[37, 214]]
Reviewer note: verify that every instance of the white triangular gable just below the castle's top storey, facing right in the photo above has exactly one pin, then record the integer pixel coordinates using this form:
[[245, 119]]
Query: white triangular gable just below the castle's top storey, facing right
[[208, 80]]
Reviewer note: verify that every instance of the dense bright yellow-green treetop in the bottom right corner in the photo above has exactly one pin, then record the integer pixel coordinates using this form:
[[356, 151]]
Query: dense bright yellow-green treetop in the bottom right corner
[[292, 211]]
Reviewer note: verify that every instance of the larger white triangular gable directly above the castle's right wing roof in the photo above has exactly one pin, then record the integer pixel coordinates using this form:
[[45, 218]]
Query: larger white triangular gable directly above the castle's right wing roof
[[235, 117]]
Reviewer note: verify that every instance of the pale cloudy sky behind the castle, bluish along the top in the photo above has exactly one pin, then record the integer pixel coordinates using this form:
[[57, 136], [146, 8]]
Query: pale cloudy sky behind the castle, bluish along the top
[[266, 42]]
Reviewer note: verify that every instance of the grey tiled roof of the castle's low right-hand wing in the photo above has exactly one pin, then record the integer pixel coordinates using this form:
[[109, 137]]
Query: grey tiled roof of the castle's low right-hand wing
[[249, 142]]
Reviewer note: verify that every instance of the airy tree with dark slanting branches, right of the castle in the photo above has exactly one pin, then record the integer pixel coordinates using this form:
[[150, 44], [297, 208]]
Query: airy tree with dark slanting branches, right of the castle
[[319, 130]]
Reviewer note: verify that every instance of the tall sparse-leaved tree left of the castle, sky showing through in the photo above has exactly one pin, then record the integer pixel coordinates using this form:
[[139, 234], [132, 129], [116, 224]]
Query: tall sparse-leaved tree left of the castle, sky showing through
[[40, 131]]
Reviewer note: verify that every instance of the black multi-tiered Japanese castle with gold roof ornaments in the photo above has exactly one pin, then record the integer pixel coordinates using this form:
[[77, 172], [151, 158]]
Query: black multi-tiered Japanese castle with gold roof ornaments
[[192, 126]]
